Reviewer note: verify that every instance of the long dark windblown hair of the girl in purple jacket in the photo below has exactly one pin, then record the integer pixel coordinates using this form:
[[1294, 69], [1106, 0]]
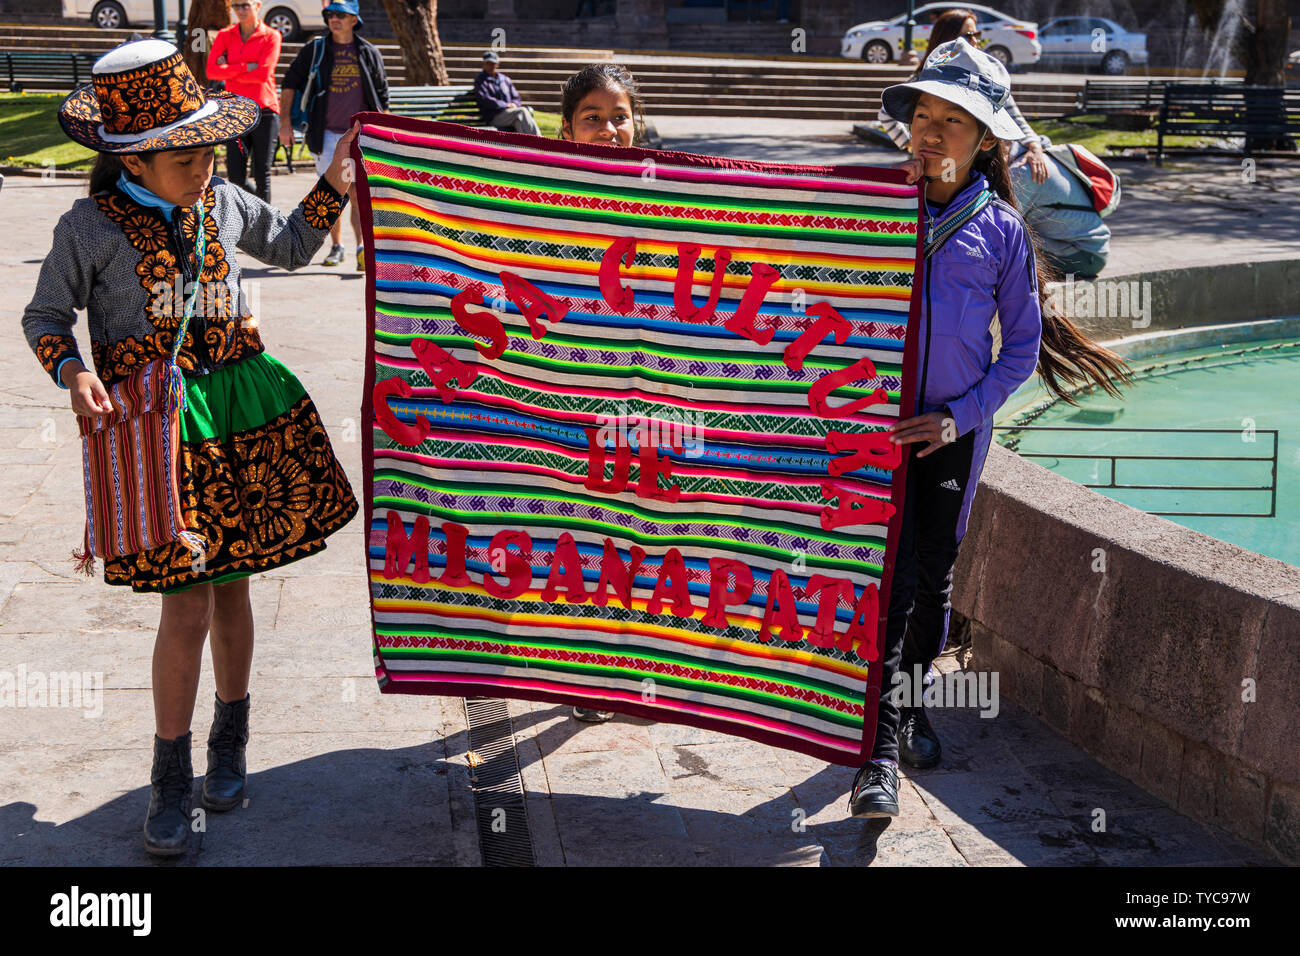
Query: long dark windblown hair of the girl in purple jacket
[[1068, 358]]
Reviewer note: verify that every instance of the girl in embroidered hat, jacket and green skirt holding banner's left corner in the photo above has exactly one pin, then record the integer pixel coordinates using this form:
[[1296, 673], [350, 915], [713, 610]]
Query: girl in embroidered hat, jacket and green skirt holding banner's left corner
[[259, 485]]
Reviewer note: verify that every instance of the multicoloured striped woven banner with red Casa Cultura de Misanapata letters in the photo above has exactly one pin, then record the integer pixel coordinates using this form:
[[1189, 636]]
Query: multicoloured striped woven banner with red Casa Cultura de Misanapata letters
[[626, 414]]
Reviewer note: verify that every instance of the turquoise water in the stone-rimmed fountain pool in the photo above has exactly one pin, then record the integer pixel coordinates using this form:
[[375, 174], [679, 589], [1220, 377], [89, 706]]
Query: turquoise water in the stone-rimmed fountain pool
[[1247, 390]]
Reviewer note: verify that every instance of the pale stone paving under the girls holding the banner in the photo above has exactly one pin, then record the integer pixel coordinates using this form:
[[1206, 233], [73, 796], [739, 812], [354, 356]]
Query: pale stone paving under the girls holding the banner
[[341, 776]]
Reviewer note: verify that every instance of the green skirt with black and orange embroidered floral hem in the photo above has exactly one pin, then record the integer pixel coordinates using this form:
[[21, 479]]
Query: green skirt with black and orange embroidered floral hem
[[259, 481]]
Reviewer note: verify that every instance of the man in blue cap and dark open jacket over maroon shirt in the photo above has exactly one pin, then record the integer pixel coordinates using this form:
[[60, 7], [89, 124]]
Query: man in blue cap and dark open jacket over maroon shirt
[[339, 75]]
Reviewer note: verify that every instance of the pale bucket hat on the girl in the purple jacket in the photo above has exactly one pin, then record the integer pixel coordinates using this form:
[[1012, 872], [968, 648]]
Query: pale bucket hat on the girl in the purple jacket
[[963, 75]]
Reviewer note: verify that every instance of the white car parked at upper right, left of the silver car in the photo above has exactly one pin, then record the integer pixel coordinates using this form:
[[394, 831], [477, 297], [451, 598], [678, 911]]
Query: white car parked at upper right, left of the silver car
[[1012, 41]]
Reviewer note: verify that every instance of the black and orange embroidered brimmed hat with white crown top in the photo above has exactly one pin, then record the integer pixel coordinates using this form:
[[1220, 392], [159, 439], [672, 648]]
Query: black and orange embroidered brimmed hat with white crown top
[[144, 98]]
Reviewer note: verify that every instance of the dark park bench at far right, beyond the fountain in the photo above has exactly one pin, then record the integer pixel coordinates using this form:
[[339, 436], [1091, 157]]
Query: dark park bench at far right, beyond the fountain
[[1228, 111]]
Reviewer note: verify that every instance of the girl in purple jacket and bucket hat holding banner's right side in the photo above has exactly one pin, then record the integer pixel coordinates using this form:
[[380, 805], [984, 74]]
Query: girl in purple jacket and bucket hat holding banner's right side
[[981, 267]]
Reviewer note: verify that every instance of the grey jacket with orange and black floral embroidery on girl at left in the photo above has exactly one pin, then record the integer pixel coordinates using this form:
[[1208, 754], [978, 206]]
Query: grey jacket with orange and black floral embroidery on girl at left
[[129, 267]]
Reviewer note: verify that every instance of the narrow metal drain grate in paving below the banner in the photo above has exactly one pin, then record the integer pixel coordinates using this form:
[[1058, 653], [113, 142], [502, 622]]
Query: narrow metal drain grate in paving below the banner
[[504, 834]]
